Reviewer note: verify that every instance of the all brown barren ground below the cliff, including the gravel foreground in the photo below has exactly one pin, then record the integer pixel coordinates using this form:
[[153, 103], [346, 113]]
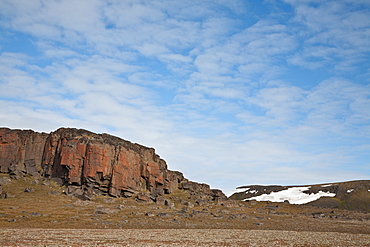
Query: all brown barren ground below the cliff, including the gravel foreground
[[47, 217]]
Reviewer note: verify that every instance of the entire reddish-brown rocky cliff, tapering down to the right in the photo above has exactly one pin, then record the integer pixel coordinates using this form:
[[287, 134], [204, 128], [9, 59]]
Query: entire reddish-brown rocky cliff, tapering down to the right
[[89, 164]]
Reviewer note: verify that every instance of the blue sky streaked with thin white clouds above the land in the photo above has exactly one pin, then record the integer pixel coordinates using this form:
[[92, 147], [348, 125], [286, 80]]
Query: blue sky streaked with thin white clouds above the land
[[230, 93]]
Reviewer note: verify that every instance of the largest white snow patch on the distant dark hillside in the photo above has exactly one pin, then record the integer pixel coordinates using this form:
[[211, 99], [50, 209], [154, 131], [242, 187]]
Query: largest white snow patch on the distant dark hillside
[[294, 195]]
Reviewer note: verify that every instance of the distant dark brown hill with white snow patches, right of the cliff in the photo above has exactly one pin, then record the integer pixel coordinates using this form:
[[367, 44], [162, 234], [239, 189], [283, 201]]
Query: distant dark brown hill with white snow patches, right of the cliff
[[351, 195]]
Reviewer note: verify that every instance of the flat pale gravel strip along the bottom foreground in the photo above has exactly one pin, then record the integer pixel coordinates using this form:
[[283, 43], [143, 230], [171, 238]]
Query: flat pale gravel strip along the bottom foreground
[[176, 237]]
